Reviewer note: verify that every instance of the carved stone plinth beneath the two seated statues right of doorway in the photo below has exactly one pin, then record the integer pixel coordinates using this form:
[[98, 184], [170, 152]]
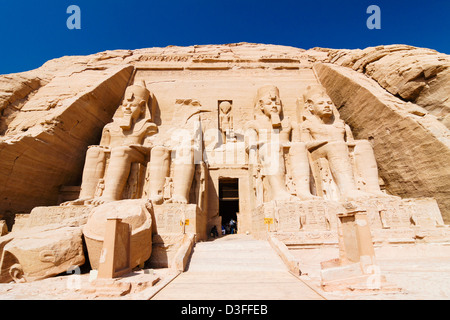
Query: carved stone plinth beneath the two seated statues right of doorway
[[314, 222]]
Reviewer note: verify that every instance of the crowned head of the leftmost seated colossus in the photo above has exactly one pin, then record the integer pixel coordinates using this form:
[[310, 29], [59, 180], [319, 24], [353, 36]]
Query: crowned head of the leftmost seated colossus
[[134, 104]]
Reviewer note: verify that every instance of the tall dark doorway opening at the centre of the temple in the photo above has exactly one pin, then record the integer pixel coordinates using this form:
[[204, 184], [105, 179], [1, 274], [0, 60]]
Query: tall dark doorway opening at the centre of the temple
[[229, 204]]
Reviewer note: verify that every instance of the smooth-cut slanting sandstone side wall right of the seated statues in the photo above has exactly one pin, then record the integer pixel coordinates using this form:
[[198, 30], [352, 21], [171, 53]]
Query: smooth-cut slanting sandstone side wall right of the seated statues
[[412, 151]]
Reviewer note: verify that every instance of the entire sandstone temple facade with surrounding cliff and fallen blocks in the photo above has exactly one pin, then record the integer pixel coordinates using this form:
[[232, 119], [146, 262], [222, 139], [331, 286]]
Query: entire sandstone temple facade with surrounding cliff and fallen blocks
[[162, 145]]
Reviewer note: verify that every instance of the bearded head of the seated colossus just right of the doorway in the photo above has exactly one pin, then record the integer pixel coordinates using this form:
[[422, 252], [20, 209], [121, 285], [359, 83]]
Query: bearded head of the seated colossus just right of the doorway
[[269, 103]]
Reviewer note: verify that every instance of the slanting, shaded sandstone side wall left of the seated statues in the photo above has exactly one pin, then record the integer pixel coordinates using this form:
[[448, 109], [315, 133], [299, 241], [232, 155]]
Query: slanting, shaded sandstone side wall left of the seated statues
[[44, 145]]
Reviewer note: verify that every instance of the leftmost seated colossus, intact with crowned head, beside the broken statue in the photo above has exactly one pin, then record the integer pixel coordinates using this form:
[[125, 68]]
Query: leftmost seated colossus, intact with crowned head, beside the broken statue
[[122, 143]]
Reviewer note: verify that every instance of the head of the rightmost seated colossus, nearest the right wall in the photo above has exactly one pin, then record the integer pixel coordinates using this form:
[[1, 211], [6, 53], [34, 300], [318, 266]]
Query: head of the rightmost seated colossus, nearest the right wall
[[318, 102]]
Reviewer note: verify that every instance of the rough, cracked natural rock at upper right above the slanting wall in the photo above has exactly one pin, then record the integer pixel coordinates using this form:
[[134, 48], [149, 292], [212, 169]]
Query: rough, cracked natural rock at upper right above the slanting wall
[[418, 75]]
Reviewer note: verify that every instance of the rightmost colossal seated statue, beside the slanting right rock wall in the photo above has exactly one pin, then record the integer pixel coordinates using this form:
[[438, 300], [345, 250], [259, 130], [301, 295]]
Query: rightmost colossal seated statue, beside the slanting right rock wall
[[328, 137]]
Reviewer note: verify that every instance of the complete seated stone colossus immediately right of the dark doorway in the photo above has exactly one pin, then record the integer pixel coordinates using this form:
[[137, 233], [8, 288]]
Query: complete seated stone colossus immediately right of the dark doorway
[[268, 136]]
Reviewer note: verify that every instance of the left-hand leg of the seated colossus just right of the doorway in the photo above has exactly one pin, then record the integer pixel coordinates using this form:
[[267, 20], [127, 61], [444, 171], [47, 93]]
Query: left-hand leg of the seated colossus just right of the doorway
[[272, 160]]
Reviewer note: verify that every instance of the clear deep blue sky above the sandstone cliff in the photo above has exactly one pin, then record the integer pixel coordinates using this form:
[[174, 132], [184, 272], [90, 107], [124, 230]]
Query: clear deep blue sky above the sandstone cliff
[[33, 32]]
